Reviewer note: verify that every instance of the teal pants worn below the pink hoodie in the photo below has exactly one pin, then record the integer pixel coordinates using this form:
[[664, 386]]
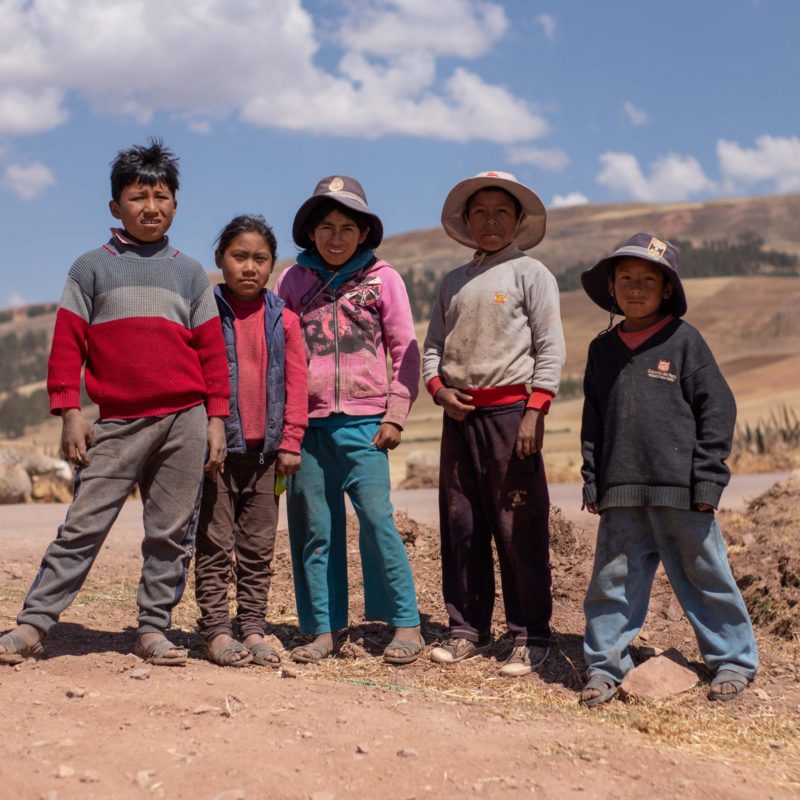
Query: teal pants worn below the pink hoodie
[[338, 457]]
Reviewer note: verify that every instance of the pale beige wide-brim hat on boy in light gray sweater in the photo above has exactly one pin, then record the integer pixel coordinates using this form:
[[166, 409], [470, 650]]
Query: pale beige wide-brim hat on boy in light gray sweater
[[534, 220]]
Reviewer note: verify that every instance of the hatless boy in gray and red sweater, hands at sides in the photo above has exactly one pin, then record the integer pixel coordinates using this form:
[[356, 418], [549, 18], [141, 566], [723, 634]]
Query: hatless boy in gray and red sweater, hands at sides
[[141, 317]]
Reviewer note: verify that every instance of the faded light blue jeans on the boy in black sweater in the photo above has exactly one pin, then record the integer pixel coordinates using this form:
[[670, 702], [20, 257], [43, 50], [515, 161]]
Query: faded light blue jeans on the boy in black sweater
[[630, 544]]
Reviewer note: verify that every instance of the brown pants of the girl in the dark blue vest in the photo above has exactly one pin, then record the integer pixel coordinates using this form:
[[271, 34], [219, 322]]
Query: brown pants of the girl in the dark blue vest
[[236, 539]]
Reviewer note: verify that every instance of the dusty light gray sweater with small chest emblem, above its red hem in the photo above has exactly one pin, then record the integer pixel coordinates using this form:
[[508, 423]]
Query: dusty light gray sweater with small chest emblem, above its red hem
[[496, 322]]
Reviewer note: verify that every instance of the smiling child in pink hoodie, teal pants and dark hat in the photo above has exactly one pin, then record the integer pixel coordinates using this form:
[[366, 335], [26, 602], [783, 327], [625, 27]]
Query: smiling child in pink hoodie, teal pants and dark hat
[[353, 311]]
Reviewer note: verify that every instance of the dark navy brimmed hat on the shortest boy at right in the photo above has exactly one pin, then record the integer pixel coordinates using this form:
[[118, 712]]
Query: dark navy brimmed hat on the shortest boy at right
[[644, 246]]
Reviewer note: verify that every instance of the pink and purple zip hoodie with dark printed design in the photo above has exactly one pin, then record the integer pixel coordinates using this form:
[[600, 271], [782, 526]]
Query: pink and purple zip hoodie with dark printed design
[[348, 332]]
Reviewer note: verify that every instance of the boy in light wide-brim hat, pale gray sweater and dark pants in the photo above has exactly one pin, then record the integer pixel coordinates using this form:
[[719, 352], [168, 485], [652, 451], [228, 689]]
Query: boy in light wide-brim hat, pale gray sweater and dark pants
[[495, 331]]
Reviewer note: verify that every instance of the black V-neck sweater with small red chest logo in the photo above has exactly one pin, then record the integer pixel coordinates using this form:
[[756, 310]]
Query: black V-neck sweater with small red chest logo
[[658, 421]]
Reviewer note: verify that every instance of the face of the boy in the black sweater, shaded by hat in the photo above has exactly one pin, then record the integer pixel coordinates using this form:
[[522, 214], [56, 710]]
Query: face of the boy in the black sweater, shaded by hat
[[639, 287]]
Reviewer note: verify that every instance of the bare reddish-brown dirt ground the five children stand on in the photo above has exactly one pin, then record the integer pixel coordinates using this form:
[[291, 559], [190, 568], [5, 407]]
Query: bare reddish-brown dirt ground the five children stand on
[[90, 722]]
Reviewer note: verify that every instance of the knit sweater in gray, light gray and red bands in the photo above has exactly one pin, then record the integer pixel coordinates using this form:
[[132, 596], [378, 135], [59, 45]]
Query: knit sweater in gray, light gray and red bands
[[144, 322]]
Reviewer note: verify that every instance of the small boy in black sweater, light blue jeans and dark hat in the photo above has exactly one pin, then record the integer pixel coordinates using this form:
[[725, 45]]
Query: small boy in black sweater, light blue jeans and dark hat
[[658, 421]]
